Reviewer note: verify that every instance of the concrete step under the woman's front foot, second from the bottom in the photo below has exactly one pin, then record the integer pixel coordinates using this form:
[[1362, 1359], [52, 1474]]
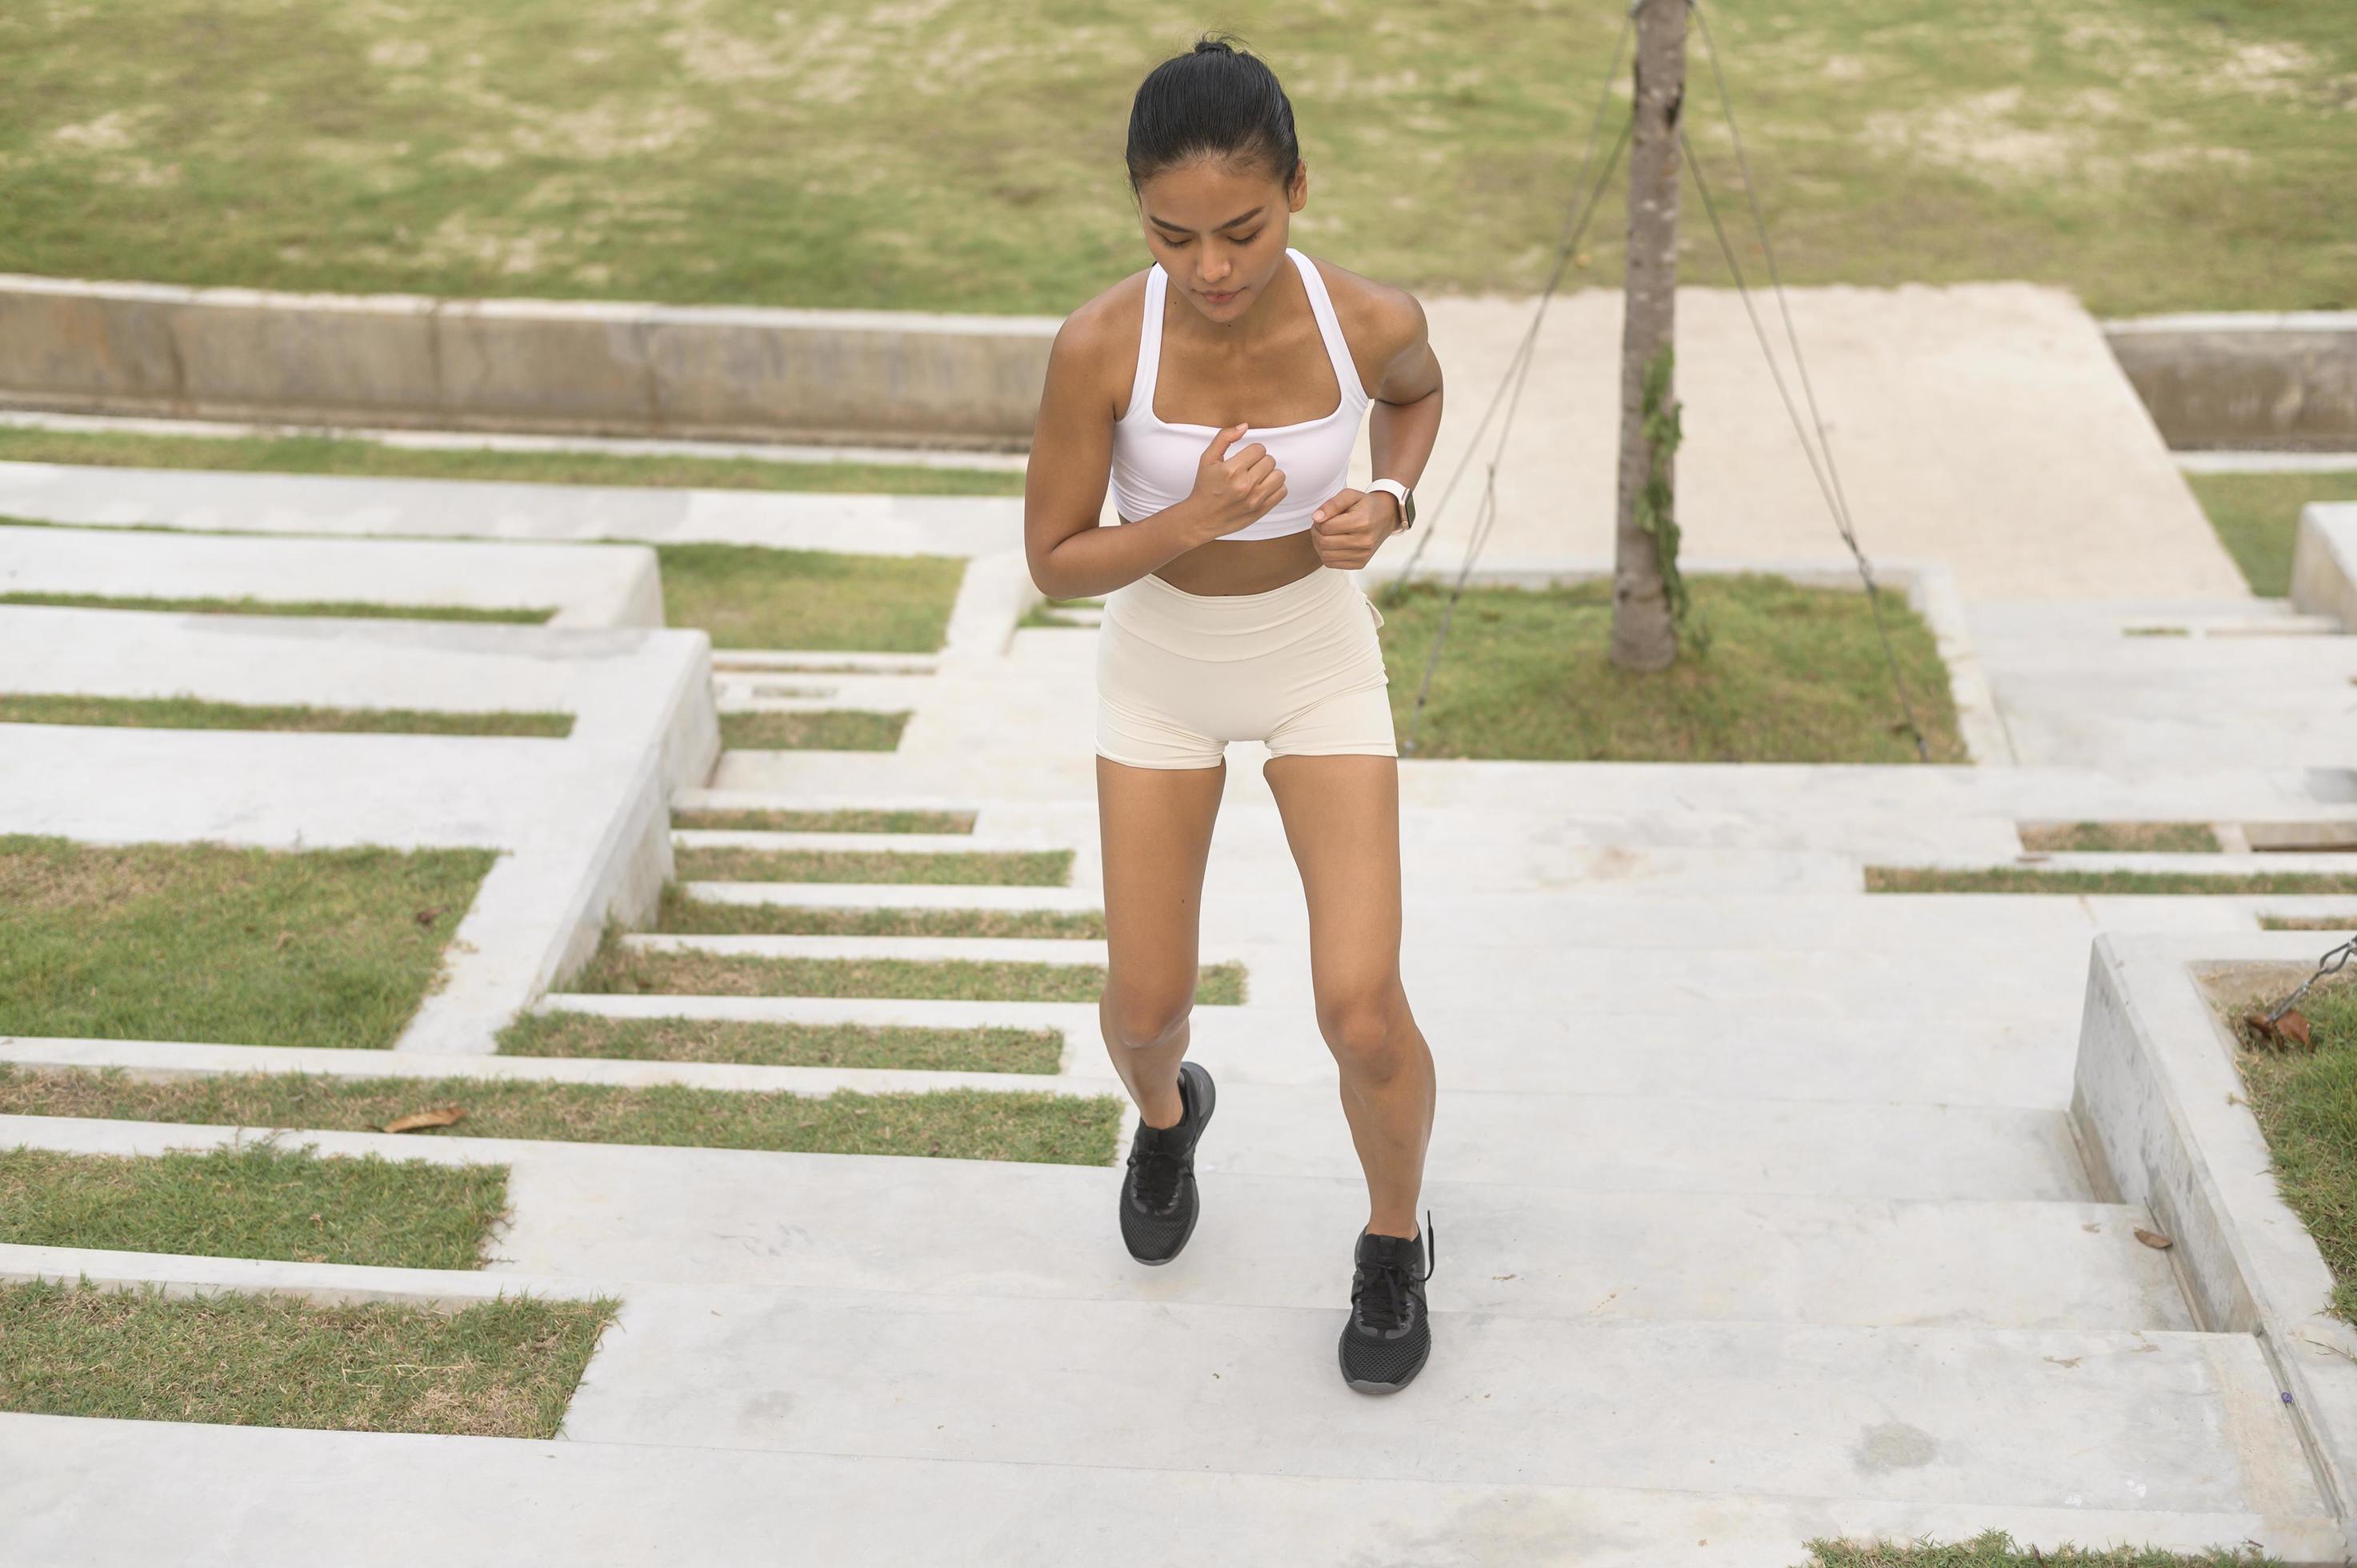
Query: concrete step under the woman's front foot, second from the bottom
[[2028, 1418]]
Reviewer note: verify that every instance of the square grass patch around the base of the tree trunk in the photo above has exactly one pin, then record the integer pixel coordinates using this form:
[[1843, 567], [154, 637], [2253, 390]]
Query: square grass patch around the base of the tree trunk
[[1790, 676]]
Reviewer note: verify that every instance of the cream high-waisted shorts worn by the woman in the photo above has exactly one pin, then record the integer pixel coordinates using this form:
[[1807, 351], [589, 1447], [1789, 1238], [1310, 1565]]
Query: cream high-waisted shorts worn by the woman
[[1298, 668]]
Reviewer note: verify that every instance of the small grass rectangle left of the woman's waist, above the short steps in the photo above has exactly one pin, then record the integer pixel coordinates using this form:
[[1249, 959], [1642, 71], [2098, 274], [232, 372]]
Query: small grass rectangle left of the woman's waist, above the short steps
[[758, 598]]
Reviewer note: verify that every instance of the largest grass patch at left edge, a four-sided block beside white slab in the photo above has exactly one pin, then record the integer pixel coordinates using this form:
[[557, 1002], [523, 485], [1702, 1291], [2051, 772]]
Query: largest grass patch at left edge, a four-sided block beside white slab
[[213, 944]]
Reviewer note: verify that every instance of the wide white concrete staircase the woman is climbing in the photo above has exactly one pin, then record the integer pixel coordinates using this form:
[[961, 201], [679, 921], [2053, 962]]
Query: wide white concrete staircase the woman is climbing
[[1760, 1211]]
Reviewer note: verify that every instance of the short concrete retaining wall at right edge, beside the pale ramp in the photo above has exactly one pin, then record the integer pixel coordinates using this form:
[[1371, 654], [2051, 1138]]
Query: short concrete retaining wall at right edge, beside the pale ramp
[[2245, 381]]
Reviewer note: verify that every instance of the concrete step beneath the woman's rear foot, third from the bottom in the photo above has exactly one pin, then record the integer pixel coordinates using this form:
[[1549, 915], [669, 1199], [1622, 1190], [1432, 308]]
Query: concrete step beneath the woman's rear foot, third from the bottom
[[590, 1215]]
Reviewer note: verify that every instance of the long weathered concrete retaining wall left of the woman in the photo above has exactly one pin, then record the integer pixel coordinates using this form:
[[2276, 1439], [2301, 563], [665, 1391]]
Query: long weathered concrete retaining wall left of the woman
[[522, 364]]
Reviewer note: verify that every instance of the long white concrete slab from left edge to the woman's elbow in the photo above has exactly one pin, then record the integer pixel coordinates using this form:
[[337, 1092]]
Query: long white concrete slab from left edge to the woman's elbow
[[506, 510]]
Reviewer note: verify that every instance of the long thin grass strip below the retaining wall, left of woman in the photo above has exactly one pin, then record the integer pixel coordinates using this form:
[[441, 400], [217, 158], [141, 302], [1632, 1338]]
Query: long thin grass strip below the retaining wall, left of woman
[[378, 461]]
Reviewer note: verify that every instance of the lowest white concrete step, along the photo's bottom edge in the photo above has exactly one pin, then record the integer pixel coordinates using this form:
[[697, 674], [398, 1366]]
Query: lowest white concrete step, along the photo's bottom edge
[[103, 1491]]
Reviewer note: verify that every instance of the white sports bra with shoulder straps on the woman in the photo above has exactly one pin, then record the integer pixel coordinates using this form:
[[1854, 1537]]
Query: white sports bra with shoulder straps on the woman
[[1154, 463]]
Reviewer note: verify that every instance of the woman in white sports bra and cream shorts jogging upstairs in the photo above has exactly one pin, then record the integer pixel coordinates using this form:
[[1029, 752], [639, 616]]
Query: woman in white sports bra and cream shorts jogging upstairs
[[1222, 393]]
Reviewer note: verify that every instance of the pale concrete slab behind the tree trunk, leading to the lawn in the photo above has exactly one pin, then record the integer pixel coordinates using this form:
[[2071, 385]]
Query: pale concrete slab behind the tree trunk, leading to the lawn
[[1981, 426]]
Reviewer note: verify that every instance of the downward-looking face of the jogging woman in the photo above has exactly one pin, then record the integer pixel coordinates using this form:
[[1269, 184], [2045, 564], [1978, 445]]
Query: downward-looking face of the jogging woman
[[1220, 230]]
